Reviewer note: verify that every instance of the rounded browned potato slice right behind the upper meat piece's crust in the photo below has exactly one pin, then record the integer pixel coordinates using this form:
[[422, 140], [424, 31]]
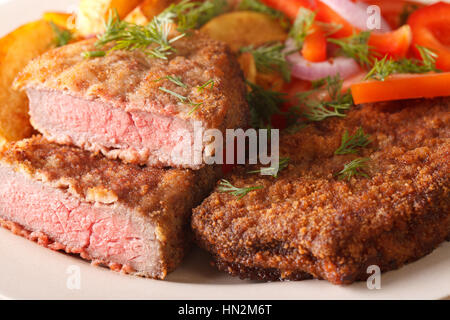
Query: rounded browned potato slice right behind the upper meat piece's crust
[[243, 28]]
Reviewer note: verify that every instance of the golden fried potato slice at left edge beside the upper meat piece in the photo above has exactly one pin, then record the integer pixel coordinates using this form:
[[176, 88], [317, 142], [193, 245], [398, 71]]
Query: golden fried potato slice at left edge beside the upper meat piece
[[16, 50]]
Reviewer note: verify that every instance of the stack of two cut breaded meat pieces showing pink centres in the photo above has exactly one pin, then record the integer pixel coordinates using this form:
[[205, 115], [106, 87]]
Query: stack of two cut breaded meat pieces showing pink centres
[[104, 180]]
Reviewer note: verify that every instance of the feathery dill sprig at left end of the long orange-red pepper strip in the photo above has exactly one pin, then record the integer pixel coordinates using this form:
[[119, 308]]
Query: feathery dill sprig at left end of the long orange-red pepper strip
[[318, 110]]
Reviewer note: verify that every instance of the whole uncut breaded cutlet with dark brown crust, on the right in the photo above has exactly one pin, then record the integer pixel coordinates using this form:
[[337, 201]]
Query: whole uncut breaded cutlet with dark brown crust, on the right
[[306, 220]]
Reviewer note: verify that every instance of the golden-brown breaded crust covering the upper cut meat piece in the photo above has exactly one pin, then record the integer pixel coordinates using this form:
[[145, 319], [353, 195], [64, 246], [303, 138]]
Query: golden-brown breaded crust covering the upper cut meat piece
[[131, 80]]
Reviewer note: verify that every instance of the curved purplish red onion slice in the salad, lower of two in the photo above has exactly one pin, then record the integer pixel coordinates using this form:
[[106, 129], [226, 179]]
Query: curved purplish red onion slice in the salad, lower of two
[[310, 71]]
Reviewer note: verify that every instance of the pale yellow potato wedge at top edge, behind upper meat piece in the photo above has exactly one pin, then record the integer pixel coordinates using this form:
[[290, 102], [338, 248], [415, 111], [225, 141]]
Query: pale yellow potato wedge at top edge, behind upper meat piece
[[92, 14]]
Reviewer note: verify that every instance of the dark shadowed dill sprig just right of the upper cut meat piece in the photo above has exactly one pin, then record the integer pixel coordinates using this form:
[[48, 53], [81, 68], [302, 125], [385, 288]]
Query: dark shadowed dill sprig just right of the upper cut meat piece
[[263, 105]]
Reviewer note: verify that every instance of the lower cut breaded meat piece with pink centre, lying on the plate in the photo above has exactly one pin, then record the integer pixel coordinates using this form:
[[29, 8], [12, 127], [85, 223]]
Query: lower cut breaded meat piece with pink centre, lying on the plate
[[120, 215]]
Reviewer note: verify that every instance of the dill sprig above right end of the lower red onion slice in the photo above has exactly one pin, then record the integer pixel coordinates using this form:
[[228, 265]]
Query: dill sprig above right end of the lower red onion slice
[[356, 46]]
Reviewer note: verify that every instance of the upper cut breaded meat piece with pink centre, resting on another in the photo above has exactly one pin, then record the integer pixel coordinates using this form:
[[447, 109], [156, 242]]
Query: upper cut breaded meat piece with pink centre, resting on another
[[122, 104]]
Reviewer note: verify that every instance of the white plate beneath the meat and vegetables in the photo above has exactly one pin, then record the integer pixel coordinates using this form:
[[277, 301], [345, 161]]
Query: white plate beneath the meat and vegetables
[[28, 271]]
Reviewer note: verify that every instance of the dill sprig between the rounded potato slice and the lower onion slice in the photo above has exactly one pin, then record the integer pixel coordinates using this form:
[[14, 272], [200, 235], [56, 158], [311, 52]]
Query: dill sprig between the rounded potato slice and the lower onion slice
[[269, 58]]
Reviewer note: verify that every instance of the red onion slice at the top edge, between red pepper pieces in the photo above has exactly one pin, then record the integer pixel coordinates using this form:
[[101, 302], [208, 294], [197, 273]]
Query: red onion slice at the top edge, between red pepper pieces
[[356, 14]]
